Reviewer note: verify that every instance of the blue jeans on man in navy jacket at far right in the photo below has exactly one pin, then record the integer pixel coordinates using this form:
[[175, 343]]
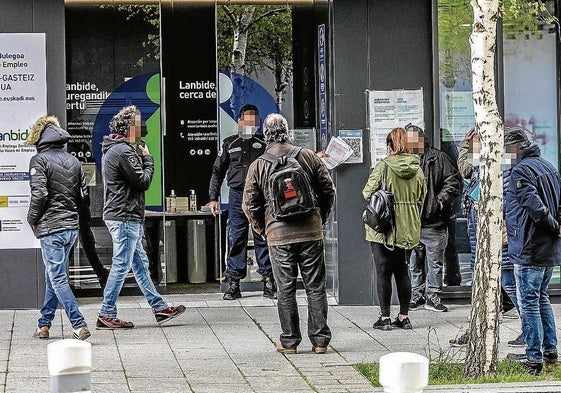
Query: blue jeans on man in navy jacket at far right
[[538, 323]]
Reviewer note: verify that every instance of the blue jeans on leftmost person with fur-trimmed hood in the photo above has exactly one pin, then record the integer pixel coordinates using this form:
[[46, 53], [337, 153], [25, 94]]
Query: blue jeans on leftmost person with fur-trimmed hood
[[56, 249]]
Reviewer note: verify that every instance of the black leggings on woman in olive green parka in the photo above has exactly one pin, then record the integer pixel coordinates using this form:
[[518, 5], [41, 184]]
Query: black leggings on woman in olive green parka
[[388, 263]]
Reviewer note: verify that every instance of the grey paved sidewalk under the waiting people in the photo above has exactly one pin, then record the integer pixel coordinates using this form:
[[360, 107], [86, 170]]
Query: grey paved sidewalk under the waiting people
[[219, 346]]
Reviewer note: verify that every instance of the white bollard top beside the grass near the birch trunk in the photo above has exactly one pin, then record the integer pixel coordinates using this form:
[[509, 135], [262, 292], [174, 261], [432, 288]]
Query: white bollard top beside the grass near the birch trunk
[[404, 372]]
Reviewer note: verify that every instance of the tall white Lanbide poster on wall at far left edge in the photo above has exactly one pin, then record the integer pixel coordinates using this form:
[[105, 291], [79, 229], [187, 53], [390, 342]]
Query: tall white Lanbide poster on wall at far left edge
[[23, 99]]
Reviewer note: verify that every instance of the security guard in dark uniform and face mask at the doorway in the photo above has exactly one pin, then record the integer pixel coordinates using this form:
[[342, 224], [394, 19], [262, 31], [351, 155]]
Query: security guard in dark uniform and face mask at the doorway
[[237, 153]]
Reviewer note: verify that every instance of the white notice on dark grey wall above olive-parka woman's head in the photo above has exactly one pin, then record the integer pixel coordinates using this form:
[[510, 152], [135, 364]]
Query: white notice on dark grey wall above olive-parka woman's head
[[388, 110]]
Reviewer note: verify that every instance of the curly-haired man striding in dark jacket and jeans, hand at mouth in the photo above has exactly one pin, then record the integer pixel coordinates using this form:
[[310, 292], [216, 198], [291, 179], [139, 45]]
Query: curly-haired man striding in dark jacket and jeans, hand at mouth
[[127, 173]]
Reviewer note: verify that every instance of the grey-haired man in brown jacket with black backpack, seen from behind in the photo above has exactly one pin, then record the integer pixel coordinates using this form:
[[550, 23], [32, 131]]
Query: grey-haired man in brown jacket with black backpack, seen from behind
[[295, 243]]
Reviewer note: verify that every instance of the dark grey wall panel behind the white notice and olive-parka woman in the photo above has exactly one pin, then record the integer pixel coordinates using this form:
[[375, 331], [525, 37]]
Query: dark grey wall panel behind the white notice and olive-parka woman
[[379, 45]]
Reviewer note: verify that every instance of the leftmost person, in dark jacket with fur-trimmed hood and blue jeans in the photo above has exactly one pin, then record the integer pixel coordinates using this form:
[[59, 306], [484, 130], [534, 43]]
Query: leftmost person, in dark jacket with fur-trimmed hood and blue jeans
[[58, 188]]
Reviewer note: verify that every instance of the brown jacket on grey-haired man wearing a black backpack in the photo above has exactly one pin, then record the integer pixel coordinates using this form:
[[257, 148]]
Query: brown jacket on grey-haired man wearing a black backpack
[[255, 197]]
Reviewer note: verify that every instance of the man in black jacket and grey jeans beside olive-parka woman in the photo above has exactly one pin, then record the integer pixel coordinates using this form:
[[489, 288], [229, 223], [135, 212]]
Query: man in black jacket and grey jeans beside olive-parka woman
[[443, 187]]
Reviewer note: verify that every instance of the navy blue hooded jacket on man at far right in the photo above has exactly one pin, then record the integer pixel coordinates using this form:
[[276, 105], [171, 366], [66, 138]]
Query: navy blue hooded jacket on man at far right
[[533, 211]]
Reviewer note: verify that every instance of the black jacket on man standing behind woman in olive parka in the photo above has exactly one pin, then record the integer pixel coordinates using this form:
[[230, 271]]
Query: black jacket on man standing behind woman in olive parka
[[443, 187]]
